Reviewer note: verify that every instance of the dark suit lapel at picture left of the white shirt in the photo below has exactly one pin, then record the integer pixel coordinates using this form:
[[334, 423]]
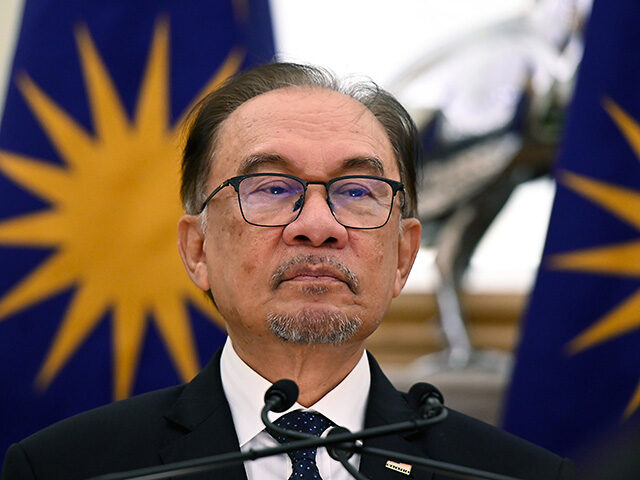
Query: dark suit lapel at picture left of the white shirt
[[204, 423]]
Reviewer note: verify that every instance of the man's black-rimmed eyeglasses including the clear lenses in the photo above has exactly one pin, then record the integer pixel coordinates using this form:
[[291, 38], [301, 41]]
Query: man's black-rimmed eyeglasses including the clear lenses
[[276, 199]]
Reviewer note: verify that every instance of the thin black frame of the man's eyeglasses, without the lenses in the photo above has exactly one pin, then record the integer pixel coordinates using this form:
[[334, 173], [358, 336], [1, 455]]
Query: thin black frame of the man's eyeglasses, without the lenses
[[235, 183]]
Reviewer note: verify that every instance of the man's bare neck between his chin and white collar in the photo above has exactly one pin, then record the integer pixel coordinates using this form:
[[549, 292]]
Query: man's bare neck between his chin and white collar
[[316, 369]]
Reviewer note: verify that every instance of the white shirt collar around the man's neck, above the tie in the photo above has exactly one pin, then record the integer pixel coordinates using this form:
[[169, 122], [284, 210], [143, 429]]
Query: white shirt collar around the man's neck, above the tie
[[345, 405]]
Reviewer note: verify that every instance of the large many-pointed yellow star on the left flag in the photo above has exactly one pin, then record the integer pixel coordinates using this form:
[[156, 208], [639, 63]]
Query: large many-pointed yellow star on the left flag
[[112, 219]]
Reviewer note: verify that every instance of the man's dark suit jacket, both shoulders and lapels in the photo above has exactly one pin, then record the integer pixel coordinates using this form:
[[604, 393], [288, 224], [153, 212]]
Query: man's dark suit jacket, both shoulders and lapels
[[194, 420]]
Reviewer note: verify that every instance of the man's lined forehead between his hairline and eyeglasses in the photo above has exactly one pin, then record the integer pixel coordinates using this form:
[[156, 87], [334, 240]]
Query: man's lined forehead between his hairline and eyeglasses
[[302, 130]]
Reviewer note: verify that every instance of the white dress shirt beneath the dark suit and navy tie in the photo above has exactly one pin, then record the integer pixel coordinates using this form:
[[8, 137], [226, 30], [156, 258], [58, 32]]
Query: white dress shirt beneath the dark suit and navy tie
[[244, 388]]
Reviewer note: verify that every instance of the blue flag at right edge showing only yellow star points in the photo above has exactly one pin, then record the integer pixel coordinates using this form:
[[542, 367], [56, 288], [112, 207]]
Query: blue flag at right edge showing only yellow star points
[[577, 374]]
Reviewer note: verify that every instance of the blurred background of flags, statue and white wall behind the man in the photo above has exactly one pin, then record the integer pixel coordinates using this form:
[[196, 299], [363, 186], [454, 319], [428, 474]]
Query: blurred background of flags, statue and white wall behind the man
[[517, 122]]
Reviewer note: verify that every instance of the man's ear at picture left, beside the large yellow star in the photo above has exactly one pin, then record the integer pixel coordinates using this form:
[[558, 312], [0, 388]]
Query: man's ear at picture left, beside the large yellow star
[[191, 248]]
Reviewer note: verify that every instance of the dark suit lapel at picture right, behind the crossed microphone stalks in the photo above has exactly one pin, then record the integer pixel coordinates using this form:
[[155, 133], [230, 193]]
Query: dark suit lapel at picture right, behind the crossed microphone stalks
[[386, 405]]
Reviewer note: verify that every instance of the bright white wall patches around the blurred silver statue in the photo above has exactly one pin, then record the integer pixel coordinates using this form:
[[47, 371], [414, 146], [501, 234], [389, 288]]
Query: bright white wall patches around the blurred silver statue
[[378, 39]]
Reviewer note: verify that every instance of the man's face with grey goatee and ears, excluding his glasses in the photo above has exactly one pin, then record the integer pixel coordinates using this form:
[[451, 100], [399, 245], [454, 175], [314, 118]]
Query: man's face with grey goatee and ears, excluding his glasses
[[312, 281]]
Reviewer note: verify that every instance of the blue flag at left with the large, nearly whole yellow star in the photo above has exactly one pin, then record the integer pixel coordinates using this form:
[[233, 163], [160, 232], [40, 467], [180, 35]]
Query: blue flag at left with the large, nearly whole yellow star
[[94, 302]]
